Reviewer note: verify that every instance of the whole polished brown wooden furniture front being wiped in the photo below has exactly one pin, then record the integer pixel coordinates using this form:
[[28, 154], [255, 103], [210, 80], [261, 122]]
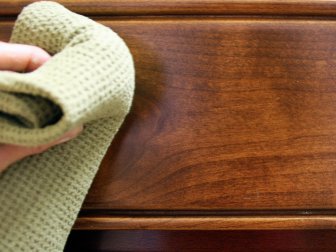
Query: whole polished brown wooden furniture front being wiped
[[232, 128]]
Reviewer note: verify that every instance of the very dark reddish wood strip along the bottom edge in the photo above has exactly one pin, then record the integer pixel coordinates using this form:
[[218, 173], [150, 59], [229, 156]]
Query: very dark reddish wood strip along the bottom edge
[[233, 241]]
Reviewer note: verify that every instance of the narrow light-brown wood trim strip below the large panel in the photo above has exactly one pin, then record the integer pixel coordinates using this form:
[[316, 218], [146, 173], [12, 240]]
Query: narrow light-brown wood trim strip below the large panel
[[206, 223]]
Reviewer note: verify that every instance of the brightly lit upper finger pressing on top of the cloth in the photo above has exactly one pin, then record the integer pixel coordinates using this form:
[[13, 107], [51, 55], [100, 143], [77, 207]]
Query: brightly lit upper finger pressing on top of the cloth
[[16, 57]]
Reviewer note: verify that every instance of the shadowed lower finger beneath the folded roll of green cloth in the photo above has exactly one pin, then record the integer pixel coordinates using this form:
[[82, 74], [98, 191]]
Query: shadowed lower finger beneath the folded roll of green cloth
[[10, 154]]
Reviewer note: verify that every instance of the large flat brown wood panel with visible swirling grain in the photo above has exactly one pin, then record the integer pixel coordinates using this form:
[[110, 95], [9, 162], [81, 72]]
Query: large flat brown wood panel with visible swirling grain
[[228, 114]]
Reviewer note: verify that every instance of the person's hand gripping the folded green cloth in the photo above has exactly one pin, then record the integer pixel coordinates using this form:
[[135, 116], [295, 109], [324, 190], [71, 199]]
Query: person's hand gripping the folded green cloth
[[24, 58]]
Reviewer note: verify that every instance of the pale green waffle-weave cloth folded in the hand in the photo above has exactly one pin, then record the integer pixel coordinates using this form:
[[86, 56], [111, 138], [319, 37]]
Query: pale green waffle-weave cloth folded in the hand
[[90, 81]]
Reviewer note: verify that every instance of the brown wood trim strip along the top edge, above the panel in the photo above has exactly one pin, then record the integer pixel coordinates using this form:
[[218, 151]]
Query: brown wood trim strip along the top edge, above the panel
[[187, 7]]
